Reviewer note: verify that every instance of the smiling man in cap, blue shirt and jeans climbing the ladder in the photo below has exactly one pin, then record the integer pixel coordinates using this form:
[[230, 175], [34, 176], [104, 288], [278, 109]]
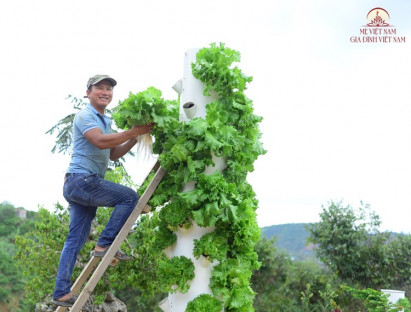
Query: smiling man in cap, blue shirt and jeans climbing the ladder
[[85, 188]]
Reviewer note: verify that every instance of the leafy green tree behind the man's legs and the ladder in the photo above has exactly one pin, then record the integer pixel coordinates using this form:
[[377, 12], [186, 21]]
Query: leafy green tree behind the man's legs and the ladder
[[39, 253]]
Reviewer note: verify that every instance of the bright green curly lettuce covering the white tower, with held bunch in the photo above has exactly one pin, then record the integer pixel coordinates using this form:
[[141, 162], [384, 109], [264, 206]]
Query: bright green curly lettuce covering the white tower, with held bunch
[[223, 200]]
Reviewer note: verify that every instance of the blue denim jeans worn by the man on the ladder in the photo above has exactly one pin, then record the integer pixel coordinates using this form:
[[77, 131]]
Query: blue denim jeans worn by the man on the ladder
[[84, 193]]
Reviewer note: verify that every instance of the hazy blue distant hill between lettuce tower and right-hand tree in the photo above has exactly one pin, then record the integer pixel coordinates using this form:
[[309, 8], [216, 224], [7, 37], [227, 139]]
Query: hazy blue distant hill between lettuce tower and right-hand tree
[[292, 238]]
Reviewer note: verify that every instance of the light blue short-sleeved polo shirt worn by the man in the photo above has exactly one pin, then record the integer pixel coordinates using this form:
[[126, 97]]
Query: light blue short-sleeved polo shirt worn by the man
[[86, 157]]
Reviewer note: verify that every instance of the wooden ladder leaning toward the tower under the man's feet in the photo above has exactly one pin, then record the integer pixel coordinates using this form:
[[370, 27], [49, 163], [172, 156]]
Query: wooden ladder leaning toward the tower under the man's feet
[[103, 263]]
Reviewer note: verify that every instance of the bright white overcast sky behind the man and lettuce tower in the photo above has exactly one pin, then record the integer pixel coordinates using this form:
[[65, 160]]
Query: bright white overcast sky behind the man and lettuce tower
[[336, 113]]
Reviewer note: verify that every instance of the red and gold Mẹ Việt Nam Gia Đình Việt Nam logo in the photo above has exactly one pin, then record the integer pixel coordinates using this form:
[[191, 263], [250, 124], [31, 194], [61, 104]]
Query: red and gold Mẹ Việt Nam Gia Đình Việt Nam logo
[[378, 29]]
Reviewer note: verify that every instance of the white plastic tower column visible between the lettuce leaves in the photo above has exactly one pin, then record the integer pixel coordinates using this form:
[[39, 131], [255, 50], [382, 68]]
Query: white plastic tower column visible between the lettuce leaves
[[192, 104]]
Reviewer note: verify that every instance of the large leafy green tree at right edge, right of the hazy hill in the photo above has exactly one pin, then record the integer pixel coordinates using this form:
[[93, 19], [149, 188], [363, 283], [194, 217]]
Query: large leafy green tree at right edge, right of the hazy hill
[[350, 244]]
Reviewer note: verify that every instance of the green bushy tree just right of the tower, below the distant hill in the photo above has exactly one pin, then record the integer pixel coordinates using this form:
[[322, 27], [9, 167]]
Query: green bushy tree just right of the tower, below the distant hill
[[290, 286]]
